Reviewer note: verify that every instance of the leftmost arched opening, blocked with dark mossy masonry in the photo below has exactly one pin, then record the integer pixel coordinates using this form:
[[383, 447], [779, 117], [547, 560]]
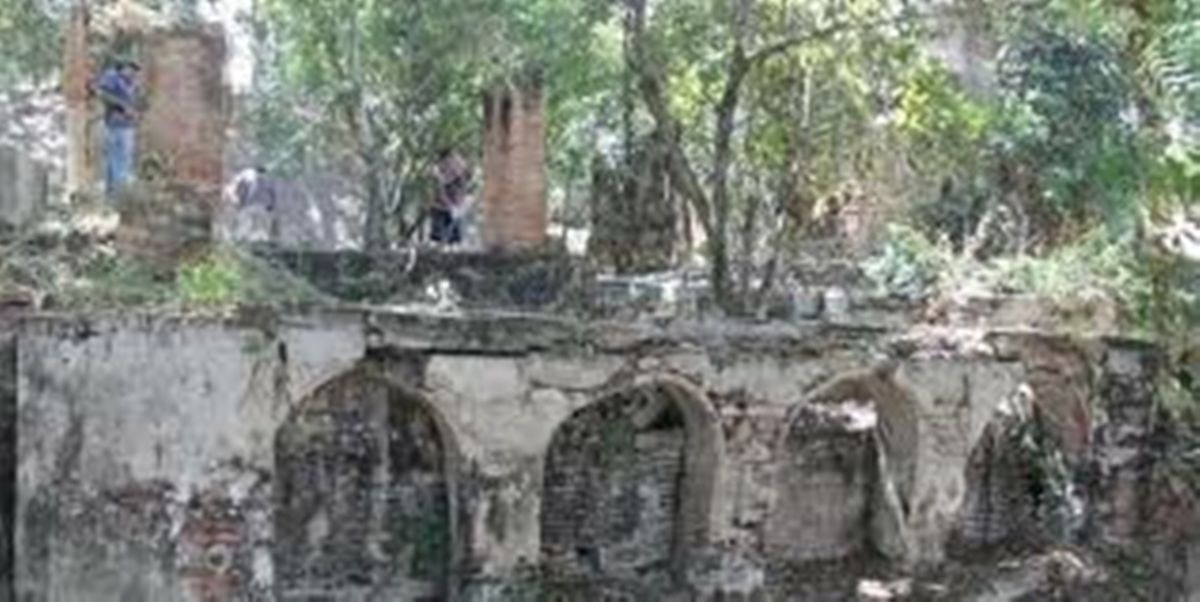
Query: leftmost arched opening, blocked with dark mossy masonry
[[363, 497]]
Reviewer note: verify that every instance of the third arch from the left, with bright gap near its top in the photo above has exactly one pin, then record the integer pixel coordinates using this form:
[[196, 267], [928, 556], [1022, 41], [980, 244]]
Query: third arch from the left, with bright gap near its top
[[847, 469]]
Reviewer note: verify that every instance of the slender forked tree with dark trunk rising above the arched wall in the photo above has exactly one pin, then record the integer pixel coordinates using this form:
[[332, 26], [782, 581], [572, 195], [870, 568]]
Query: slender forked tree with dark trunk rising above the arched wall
[[755, 35]]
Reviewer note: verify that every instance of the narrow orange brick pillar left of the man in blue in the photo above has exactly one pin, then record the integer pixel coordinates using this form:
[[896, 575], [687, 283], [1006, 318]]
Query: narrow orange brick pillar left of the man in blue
[[76, 79]]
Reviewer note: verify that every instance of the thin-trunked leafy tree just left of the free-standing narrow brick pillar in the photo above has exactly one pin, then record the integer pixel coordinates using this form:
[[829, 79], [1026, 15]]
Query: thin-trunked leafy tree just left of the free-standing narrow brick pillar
[[370, 67]]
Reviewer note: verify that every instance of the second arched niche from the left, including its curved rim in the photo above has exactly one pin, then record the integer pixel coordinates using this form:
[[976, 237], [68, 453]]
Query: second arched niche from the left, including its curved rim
[[628, 491]]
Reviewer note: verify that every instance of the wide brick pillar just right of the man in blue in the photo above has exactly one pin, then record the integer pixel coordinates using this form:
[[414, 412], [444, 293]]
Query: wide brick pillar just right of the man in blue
[[183, 130]]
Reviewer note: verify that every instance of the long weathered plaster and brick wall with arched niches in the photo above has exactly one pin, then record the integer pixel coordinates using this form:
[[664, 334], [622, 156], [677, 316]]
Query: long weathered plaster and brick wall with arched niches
[[352, 455]]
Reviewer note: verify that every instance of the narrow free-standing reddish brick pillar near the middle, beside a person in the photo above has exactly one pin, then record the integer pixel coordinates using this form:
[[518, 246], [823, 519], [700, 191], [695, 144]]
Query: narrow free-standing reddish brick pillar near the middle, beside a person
[[514, 167]]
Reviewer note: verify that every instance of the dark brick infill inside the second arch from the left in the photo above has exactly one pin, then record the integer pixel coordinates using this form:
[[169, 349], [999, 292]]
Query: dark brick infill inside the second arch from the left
[[611, 495]]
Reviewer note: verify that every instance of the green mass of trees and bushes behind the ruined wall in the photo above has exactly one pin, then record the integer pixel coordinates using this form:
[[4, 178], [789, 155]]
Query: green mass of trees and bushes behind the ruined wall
[[1015, 147]]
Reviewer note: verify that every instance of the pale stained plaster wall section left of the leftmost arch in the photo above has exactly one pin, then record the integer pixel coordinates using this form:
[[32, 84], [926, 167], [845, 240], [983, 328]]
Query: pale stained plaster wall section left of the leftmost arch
[[163, 489]]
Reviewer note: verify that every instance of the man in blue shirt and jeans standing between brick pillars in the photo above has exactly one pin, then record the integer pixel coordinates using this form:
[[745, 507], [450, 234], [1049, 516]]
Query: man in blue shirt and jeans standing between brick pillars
[[118, 91]]
